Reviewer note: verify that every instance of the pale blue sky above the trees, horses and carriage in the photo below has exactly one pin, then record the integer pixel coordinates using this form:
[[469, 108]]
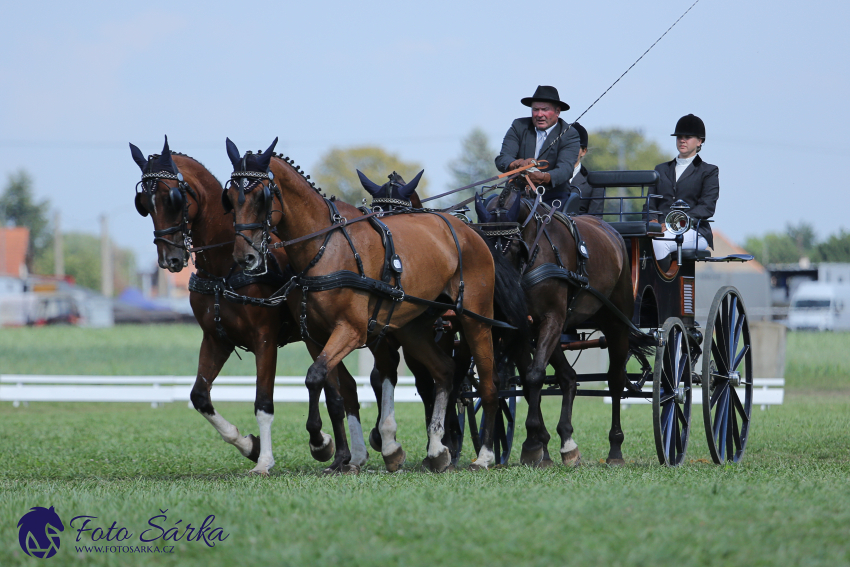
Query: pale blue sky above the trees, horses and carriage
[[81, 80]]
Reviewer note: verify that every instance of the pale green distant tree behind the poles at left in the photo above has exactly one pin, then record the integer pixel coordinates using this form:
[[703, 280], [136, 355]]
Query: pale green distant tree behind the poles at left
[[82, 262]]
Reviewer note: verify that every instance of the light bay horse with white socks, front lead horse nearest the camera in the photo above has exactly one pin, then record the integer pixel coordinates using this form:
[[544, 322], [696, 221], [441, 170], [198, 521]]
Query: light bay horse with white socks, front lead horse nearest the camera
[[443, 262]]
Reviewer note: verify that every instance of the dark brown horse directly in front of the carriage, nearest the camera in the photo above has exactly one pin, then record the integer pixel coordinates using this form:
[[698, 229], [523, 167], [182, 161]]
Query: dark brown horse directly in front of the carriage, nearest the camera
[[558, 261]]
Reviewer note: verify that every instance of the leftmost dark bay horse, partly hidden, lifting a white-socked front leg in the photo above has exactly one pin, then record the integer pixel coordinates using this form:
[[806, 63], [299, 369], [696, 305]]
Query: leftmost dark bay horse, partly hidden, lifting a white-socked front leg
[[184, 201]]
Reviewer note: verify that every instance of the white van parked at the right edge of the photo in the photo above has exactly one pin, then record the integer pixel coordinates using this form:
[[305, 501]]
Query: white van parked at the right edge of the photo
[[817, 306]]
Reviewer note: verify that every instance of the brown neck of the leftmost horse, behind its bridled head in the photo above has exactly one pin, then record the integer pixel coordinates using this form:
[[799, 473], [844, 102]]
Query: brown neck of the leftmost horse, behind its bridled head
[[210, 224]]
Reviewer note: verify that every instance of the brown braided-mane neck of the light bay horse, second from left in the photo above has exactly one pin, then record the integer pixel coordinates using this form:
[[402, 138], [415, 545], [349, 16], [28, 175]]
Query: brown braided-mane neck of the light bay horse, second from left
[[304, 210]]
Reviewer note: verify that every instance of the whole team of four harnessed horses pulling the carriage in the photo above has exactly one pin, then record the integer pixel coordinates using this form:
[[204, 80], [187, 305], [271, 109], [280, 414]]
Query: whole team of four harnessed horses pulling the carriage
[[279, 262]]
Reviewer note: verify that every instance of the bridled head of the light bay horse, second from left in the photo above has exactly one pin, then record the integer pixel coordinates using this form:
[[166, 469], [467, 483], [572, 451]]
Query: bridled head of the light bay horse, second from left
[[250, 194]]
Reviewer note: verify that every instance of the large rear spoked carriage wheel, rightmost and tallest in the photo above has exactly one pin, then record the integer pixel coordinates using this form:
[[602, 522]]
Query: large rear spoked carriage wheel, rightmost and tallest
[[727, 377]]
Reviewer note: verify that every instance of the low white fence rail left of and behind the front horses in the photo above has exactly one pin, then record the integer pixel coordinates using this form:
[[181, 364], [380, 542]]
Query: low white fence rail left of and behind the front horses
[[18, 388]]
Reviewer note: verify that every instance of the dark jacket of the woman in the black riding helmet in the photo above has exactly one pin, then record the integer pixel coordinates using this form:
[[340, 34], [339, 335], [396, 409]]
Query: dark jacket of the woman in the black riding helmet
[[698, 186]]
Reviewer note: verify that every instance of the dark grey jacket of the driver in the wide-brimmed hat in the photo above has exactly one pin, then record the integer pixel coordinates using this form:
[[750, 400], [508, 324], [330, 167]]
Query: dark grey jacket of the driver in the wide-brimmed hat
[[521, 140]]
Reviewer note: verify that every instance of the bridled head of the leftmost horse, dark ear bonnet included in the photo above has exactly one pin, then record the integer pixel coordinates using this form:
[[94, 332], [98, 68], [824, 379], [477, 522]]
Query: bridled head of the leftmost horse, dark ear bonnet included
[[163, 193]]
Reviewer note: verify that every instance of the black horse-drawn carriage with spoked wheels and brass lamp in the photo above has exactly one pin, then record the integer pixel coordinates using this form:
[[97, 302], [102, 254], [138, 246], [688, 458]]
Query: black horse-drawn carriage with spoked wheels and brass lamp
[[714, 360]]
